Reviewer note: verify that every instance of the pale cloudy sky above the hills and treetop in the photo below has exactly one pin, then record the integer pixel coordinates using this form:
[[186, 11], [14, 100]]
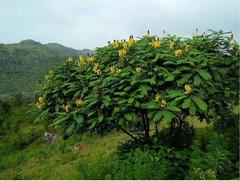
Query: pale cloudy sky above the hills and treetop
[[89, 24]]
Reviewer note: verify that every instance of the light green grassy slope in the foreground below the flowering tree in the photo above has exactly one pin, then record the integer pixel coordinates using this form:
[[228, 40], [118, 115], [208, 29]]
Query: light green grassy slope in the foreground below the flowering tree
[[59, 161]]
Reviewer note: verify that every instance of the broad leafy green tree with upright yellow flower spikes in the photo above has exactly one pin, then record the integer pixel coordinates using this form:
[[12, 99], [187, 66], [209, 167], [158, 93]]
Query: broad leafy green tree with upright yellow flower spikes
[[145, 81]]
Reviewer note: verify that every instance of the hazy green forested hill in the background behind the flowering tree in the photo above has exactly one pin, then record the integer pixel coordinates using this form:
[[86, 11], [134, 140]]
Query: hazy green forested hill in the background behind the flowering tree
[[23, 63]]
